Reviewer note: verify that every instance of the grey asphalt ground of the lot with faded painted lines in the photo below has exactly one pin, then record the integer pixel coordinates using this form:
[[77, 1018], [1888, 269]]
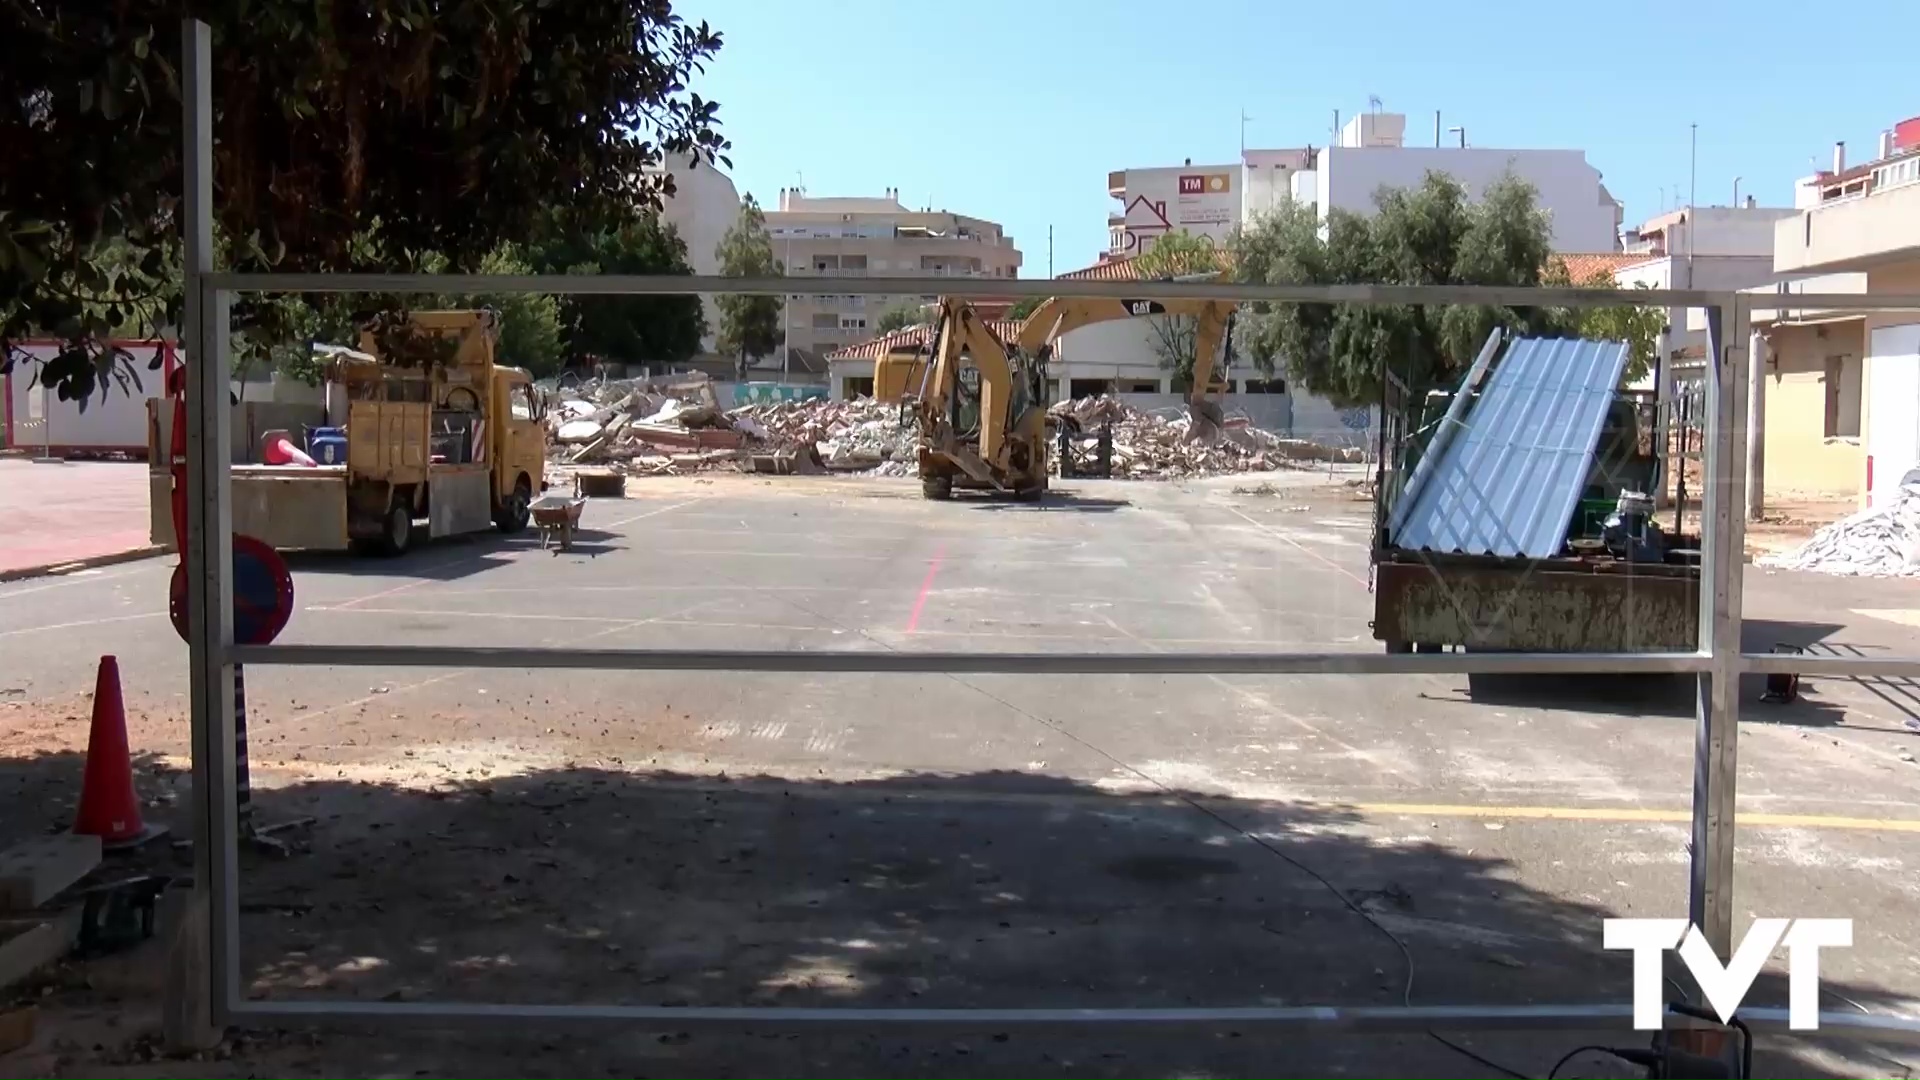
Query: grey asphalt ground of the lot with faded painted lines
[[972, 841]]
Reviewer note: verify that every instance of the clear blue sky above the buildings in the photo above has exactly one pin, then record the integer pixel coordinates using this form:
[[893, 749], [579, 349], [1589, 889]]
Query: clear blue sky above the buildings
[[1017, 110]]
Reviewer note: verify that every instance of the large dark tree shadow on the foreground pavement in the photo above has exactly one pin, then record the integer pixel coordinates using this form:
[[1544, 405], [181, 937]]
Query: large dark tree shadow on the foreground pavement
[[923, 891]]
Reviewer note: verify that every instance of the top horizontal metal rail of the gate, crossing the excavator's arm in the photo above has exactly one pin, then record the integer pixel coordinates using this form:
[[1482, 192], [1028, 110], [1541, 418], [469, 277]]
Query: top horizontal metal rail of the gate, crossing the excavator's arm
[[805, 285]]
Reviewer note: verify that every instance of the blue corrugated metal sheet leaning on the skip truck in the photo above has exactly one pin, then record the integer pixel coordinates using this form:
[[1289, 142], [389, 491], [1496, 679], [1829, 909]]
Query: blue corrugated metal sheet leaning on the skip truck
[[1508, 483]]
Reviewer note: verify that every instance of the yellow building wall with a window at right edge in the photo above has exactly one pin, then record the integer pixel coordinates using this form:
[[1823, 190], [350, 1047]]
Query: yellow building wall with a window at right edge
[[1800, 454]]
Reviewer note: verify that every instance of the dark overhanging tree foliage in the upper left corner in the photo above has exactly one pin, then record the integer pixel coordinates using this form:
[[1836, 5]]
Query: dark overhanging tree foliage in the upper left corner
[[347, 137]]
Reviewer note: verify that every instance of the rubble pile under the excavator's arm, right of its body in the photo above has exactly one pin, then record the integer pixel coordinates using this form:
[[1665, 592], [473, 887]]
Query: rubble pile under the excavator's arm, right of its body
[[1159, 447]]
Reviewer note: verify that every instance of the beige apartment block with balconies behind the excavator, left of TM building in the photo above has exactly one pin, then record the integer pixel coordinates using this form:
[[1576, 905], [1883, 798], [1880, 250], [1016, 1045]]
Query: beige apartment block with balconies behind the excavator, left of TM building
[[861, 237]]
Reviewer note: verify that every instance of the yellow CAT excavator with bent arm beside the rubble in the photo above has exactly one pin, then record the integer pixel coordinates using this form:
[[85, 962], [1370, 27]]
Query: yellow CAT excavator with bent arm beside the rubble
[[982, 403]]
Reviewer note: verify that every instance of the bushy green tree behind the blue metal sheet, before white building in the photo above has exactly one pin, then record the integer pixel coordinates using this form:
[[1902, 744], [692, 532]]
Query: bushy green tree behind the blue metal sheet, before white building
[[1426, 235]]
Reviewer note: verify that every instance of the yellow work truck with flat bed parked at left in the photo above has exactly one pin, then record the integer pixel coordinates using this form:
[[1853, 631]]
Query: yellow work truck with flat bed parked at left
[[456, 443]]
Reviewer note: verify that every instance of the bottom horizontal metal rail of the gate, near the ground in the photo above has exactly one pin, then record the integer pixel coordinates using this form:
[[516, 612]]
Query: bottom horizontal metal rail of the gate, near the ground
[[1249, 1019]]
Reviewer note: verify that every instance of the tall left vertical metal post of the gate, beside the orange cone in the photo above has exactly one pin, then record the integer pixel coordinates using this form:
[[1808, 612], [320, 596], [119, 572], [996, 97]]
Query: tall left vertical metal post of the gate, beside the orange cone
[[214, 908]]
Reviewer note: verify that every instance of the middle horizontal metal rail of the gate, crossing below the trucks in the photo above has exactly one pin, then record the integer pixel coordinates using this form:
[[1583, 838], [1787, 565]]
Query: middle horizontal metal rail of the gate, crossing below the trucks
[[876, 662]]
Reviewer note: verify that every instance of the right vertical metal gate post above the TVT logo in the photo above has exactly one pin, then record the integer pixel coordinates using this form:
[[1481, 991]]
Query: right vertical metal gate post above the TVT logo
[[1723, 556]]
